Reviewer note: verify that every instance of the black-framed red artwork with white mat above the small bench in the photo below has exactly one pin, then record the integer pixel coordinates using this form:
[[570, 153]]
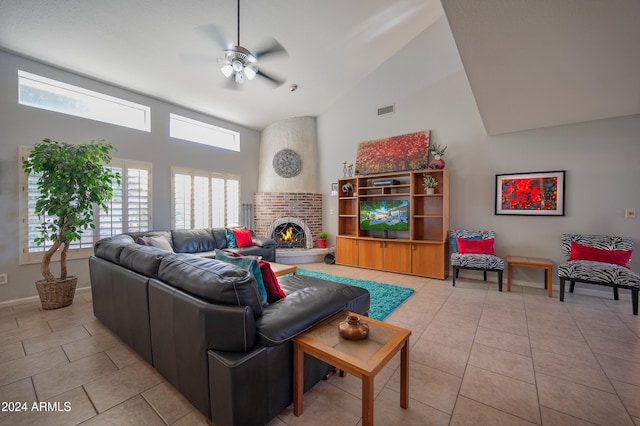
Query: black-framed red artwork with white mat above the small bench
[[530, 194]]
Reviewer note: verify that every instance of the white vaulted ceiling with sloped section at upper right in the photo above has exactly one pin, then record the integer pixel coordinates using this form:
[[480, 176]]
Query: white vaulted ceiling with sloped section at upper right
[[530, 63]]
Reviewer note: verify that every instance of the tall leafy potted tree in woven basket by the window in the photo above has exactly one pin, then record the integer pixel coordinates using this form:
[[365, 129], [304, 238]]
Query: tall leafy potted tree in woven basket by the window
[[71, 180]]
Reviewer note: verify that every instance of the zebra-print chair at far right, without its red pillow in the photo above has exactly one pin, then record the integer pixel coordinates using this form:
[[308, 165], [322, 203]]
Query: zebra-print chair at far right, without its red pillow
[[598, 273]]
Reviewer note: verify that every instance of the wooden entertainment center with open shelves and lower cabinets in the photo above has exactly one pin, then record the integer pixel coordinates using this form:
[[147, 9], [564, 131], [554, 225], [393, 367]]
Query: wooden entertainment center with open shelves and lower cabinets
[[420, 250]]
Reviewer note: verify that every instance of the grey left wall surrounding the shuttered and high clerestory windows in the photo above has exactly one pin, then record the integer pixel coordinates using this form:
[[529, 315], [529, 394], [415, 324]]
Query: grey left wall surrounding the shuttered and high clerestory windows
[[21, 125]]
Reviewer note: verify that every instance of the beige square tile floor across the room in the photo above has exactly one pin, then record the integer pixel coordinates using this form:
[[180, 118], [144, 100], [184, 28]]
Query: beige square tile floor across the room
[[478, 357]]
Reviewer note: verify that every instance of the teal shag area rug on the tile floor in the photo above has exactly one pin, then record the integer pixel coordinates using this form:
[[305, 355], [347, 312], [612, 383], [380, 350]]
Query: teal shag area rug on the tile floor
[[384, 297]]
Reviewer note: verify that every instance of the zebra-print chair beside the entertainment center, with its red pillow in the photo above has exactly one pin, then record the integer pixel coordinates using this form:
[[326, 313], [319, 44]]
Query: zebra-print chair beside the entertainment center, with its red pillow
[[474, 250]]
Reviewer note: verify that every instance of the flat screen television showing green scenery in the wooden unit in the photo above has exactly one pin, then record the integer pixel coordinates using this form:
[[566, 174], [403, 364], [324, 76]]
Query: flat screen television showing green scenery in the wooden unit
[[387, 215]]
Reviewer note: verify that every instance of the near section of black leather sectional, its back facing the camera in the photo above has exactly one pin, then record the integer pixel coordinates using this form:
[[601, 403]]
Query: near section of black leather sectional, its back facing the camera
[[200, 323]]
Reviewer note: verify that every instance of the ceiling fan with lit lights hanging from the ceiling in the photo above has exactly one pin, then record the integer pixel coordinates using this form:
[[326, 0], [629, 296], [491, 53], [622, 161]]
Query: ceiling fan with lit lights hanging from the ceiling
[[240, 64]]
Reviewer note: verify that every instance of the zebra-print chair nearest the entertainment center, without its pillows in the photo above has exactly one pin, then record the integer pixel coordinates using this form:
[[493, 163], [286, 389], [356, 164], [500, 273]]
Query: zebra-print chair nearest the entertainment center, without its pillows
[[483, 262]]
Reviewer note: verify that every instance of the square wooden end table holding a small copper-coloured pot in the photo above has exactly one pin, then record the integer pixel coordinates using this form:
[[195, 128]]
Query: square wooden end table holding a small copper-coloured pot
[[361, 358]]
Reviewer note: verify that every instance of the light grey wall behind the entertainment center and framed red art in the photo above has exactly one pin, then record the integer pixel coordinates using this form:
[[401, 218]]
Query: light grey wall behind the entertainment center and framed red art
[[428, 85]]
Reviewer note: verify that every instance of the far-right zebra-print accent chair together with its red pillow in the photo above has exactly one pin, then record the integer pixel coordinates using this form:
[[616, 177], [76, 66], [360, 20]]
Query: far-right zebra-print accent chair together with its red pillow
[[599, 260]]
